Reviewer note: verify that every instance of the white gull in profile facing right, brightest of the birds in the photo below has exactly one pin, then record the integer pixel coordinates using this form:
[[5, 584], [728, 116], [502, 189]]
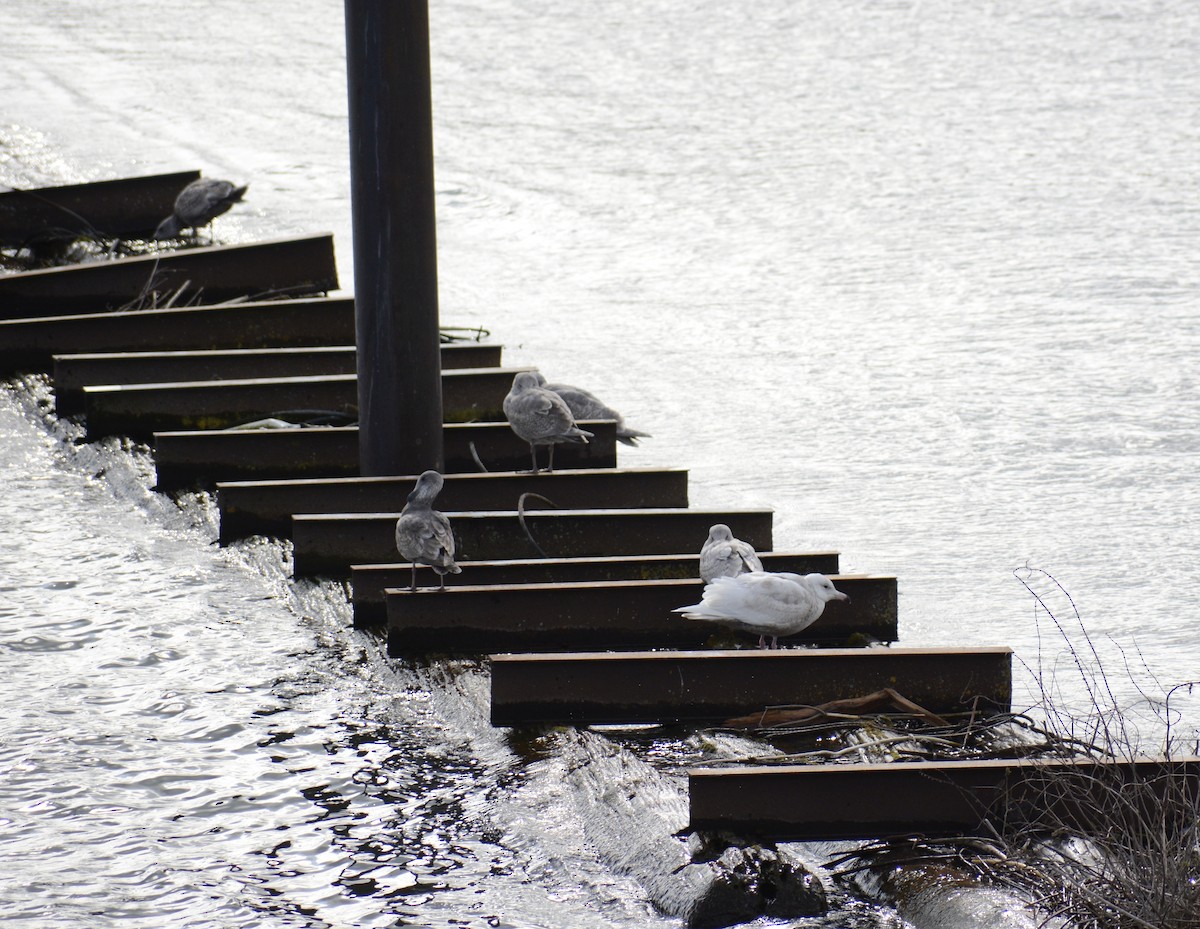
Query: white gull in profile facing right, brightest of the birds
[[765, 604]]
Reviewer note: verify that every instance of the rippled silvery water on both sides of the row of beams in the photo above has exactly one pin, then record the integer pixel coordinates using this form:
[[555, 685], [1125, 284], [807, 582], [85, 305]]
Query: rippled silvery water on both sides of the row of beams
[[917, 275]]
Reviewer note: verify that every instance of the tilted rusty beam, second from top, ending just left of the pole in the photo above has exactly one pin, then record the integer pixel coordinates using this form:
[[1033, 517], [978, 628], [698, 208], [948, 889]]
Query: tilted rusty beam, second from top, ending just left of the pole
[[293, 267]]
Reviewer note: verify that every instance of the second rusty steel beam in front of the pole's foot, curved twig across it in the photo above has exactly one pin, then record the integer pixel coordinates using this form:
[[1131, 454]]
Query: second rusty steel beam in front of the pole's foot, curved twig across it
[[331, 543]]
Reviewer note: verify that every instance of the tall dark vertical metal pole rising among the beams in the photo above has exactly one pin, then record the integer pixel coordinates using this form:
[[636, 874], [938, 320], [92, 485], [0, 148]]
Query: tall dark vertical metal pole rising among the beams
[[395, 243]]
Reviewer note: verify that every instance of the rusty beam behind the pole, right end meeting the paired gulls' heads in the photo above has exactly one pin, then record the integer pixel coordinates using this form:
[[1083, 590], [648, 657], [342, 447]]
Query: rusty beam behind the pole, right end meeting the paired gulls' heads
[[139, 411]]
